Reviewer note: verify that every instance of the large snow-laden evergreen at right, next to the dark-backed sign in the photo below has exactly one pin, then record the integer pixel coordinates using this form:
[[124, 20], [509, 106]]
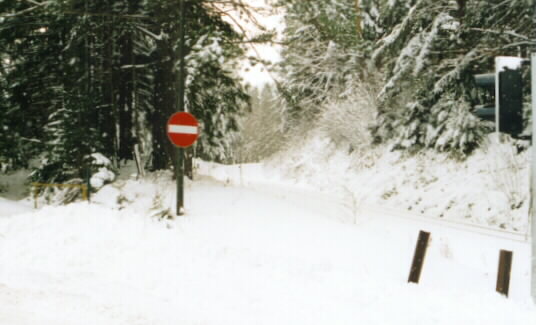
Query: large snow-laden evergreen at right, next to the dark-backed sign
[[429, 57]]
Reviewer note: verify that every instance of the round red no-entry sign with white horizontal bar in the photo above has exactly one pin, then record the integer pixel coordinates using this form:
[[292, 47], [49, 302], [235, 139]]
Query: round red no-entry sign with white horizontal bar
[[182, 129]]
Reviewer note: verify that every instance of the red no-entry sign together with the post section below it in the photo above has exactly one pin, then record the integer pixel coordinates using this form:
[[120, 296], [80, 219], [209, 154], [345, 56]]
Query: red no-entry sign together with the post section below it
[[183, 131]]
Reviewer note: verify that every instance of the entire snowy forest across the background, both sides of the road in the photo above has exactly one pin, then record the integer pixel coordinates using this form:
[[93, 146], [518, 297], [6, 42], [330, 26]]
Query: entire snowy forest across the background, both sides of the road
[[84, 77]]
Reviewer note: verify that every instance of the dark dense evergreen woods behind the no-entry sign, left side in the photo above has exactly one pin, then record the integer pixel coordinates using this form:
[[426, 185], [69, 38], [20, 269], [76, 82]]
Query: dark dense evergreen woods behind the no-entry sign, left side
[[81, 77]]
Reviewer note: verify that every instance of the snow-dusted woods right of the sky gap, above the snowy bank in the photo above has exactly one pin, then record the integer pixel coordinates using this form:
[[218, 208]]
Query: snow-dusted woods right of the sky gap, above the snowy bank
[[421, 55]]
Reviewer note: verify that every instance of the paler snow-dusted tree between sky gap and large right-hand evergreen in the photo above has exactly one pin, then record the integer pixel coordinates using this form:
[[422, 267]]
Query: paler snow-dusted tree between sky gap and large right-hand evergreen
[[323, 53]]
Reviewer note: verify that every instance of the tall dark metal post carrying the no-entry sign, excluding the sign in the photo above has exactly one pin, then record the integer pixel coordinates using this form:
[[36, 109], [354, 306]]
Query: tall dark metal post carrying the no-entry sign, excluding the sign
[[180, 108]]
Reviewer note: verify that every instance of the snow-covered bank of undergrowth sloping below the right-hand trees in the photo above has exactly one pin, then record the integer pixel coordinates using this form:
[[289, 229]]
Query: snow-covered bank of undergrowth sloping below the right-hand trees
[[490, 188]]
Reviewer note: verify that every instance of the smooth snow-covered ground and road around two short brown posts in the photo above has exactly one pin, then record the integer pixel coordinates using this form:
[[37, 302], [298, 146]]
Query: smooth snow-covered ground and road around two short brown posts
[[261, 254]]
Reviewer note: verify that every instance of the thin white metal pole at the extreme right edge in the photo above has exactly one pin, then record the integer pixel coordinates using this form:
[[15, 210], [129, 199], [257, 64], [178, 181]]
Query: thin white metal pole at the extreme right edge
[[532, 211]]
